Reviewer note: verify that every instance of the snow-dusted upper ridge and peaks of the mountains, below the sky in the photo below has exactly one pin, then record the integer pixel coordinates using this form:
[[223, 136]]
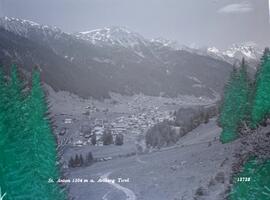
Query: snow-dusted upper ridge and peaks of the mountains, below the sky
[[122, 39]]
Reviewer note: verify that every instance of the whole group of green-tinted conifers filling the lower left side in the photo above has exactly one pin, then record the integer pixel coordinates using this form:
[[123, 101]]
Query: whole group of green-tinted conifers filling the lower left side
[[28, 157]]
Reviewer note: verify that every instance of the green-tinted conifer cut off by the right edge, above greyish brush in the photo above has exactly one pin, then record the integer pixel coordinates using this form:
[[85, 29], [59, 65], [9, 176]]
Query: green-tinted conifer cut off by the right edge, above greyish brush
[[261, 102]]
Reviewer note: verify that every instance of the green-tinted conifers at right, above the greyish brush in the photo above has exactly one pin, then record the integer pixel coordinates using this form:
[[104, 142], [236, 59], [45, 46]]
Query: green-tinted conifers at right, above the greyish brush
[[246, 103]]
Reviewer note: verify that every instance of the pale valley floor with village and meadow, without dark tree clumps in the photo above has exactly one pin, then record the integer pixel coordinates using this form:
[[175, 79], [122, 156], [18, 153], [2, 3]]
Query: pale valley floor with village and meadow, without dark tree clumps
[[198, 166]]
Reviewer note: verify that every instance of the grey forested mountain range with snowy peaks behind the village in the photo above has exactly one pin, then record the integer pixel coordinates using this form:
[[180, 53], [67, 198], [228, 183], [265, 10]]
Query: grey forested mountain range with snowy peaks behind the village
[[114, 59]]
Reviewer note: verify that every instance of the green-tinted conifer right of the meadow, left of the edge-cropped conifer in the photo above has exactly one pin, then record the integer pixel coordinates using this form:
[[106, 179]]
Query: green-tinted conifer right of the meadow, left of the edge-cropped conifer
[[235, 105]]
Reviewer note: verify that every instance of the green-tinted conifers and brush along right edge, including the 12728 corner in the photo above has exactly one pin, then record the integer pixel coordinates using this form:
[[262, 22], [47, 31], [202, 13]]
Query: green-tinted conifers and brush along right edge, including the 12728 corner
[[246, 106]]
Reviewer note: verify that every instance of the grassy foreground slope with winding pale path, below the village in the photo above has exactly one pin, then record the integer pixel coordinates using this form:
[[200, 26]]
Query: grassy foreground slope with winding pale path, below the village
[[177, 172]]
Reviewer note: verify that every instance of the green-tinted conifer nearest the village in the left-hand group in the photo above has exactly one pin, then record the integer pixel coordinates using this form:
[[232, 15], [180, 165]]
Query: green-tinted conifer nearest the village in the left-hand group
[[42, 154]]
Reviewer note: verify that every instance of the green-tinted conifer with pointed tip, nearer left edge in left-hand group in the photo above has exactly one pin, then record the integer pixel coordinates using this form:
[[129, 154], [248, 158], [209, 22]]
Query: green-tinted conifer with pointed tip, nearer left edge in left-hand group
[[13, 177]]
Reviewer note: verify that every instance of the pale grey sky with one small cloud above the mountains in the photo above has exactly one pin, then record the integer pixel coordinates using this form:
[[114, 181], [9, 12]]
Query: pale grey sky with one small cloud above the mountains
[[199, 22]]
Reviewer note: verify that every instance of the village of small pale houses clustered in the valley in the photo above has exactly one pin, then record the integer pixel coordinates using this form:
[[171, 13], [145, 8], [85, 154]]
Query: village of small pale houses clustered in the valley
[[136, 122]]
